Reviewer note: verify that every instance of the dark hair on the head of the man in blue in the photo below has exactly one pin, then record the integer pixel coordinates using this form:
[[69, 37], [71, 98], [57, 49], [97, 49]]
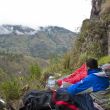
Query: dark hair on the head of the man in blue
[[92, 63]]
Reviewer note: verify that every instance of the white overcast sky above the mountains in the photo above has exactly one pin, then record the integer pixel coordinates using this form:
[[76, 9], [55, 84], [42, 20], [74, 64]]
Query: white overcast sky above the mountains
[[64, 13]]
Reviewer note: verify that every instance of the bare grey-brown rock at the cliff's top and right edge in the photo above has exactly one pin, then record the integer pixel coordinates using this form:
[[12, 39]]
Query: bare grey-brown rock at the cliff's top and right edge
[[101, 12]]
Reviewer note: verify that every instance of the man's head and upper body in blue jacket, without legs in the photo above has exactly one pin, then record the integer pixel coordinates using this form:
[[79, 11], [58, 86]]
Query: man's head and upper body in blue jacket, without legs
[[92, 82]]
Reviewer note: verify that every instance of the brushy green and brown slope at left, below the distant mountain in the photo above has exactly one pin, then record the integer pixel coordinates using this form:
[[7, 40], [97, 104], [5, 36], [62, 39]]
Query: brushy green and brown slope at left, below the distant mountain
[[14, 75]]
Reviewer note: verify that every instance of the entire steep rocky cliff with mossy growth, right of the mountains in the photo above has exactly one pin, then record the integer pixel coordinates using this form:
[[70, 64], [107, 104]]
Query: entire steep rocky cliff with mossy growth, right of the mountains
[[94, 38]]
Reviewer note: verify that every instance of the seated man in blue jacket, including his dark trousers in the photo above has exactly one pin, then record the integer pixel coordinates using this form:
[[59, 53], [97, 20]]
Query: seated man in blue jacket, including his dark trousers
[[93, 82]]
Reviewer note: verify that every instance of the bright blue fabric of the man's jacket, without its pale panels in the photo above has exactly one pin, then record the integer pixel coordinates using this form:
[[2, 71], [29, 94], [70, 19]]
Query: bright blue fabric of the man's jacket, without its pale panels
[[97, 83]]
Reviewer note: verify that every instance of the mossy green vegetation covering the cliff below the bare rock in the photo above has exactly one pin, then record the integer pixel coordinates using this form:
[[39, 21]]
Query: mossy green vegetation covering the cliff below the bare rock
[[90, 42]]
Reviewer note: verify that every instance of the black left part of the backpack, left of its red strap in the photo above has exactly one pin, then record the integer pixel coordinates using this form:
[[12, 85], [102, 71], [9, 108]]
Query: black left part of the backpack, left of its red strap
[[37, 100]]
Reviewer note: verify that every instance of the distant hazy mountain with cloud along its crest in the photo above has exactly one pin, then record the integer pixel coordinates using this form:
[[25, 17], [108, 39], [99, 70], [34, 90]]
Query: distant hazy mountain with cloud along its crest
[[43, 42]]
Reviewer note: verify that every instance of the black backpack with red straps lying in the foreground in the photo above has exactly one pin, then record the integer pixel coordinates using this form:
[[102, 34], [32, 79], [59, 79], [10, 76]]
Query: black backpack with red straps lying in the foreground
[[48, 100]]
